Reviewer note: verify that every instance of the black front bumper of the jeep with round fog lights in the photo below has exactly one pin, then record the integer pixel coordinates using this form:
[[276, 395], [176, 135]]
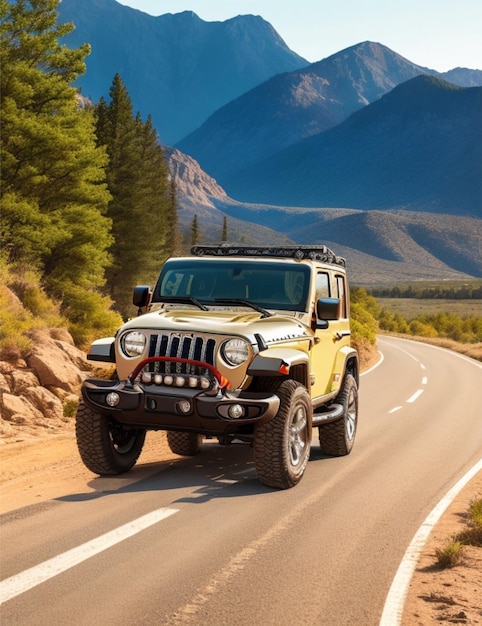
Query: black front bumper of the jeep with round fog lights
[[159, 407]]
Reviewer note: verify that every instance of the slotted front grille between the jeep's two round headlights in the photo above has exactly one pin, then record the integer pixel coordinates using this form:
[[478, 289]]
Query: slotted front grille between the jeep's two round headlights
[[184, 346]]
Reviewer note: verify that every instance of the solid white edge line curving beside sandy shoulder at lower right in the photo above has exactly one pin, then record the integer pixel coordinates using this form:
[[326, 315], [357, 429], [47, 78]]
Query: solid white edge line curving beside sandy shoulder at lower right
[[394, 603]]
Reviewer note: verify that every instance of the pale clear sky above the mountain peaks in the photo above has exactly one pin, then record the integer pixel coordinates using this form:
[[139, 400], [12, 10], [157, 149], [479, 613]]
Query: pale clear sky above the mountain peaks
[[439, 34]]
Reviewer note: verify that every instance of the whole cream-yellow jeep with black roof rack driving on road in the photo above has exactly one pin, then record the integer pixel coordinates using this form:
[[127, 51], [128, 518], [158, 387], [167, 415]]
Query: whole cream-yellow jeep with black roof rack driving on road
[[236, 343]]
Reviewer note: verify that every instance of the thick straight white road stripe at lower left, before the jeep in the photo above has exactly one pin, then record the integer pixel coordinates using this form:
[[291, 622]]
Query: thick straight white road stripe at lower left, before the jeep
[[15, 585]]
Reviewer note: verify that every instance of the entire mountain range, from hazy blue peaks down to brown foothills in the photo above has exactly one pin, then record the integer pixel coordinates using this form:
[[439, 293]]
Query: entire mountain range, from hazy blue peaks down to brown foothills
[[363, 150]]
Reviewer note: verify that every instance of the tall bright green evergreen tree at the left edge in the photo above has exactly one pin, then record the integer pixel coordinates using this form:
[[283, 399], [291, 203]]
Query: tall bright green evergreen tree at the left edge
[[53, 194]]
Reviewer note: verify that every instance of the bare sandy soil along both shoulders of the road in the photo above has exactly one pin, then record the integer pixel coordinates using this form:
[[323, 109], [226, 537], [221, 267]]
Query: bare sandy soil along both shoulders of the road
[[47, 467]]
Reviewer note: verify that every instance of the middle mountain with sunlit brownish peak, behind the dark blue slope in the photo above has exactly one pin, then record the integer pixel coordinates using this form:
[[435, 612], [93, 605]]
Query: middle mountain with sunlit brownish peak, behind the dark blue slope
[[299, 104]]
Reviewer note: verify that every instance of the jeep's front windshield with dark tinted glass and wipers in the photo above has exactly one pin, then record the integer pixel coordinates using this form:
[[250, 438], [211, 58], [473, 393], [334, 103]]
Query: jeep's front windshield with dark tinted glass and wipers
[[268, 285]]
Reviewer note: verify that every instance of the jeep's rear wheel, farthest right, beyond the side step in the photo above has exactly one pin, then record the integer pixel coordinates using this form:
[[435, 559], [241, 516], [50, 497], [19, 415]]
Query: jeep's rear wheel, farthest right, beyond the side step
[[337, 438]]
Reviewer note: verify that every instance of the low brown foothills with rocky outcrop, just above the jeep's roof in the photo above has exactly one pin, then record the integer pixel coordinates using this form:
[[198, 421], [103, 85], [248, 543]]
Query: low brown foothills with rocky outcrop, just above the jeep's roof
[[381, 247]]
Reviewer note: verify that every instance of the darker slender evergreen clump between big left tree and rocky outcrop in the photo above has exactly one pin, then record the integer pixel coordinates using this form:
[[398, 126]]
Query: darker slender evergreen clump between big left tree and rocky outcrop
[[137, 178]]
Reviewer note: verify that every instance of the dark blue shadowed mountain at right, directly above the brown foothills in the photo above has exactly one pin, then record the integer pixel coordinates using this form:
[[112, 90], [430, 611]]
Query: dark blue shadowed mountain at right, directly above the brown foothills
[[418, 147]]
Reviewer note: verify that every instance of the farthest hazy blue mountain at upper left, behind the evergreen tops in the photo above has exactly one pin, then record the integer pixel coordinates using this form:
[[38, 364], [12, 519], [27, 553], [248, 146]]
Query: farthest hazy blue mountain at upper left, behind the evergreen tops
[[176, 67]]
